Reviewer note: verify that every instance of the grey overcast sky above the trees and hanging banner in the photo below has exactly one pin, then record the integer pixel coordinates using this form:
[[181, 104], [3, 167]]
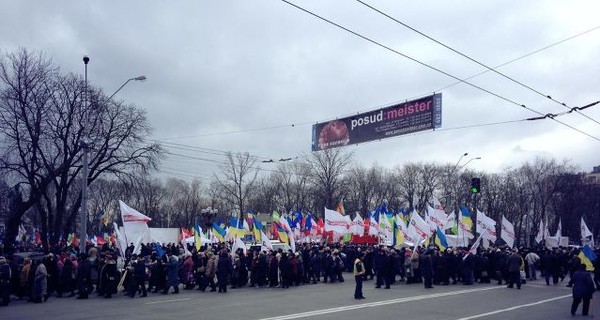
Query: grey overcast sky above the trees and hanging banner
[[254, 76]]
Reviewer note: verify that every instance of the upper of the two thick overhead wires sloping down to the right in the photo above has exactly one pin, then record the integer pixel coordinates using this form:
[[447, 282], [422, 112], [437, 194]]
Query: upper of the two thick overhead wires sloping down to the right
[[477, 61]]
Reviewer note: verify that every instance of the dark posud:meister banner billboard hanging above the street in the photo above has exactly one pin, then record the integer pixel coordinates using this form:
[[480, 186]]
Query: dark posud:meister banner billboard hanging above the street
[[407, 117]]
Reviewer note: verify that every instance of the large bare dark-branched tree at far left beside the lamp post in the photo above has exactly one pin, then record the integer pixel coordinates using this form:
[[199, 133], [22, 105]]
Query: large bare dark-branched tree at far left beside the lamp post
[[44, 123]]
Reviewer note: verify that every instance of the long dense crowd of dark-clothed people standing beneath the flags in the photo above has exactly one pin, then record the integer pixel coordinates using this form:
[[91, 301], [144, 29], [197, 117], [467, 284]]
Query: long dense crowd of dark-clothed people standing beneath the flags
[[105, 272]]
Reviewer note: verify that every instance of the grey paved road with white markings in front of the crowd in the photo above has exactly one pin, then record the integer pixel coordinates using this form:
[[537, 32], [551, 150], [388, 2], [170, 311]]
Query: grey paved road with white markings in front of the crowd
[[320, 301]]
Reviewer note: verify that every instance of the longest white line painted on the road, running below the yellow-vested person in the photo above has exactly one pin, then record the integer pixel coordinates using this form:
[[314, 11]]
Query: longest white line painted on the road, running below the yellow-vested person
[[376, 304]]
